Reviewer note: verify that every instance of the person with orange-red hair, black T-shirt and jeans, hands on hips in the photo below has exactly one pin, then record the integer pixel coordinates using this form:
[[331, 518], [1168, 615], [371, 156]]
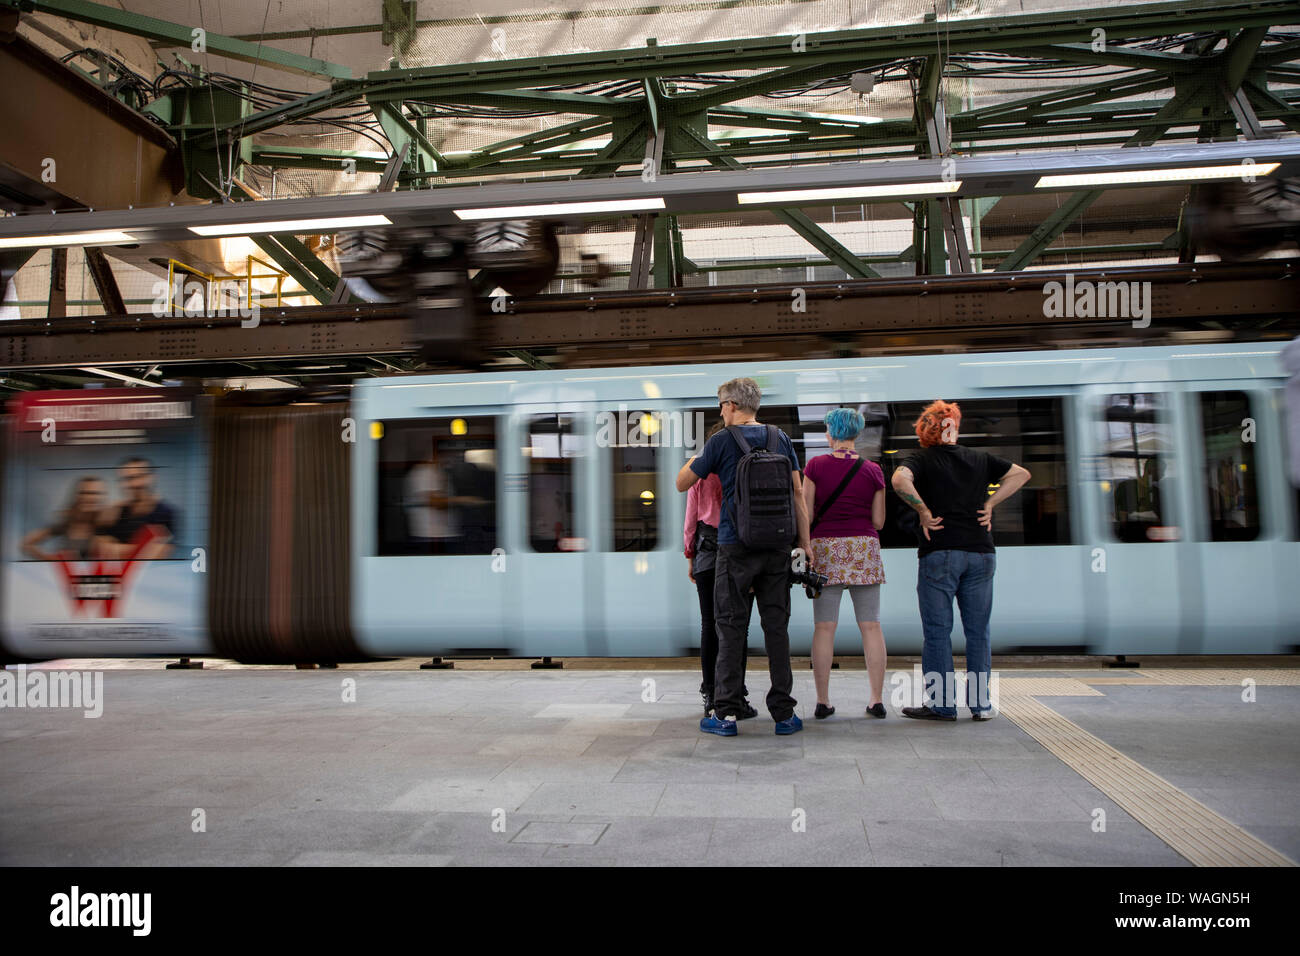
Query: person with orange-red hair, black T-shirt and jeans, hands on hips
[[948, 487]]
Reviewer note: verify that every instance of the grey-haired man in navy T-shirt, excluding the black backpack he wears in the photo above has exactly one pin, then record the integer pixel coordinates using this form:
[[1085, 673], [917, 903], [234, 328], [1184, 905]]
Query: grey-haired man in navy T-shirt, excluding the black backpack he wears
[[740, 569]]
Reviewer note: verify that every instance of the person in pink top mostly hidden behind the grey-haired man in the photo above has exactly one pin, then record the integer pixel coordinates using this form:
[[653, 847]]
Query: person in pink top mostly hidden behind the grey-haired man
[[700, 539]]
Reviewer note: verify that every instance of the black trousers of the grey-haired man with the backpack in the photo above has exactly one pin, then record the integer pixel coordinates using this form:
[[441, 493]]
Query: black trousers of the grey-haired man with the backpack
[[768, 573]]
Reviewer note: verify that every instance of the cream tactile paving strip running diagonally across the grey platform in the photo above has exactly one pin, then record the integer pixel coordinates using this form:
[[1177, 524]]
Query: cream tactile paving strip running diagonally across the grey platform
[[1189, 827]]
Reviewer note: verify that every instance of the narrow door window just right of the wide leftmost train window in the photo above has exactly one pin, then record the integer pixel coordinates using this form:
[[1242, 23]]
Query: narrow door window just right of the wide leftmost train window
[[553, 445]]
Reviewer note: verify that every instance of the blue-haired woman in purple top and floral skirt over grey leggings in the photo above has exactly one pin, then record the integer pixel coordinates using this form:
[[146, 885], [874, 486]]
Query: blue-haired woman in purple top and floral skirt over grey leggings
[[846, 495]]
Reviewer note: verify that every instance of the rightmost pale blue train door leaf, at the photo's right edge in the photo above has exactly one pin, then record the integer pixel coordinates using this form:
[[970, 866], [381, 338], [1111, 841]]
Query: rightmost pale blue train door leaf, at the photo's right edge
[[1242, 520]]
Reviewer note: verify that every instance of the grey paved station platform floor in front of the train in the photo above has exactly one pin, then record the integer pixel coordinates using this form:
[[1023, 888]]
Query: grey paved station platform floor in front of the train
[[496, 764]]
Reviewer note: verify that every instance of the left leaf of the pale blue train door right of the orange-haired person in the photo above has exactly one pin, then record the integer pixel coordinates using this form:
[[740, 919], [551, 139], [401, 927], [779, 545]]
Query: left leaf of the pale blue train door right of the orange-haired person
[[1138, 465]]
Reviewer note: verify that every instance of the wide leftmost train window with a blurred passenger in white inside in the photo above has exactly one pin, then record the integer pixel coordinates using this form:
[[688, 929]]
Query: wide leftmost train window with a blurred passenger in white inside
[[437, 486]]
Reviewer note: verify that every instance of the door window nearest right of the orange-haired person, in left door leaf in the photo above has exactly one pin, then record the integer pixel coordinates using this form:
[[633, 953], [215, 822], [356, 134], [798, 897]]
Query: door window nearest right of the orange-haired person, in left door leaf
[[1134, 470]]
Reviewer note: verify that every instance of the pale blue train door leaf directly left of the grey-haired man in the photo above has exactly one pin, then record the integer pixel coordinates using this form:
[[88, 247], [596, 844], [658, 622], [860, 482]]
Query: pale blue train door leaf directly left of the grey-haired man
[[638, 548]]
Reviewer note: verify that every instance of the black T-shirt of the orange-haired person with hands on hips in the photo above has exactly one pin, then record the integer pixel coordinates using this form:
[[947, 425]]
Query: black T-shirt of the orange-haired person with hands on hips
[[954, 482]]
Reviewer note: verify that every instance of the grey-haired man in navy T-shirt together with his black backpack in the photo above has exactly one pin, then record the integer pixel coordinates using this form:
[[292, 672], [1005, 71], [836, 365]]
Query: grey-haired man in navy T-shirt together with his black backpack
[[762, 518]]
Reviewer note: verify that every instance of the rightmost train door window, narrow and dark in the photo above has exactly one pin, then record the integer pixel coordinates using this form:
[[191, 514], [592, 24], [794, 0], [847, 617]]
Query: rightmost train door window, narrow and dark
[[1230, 490]]
